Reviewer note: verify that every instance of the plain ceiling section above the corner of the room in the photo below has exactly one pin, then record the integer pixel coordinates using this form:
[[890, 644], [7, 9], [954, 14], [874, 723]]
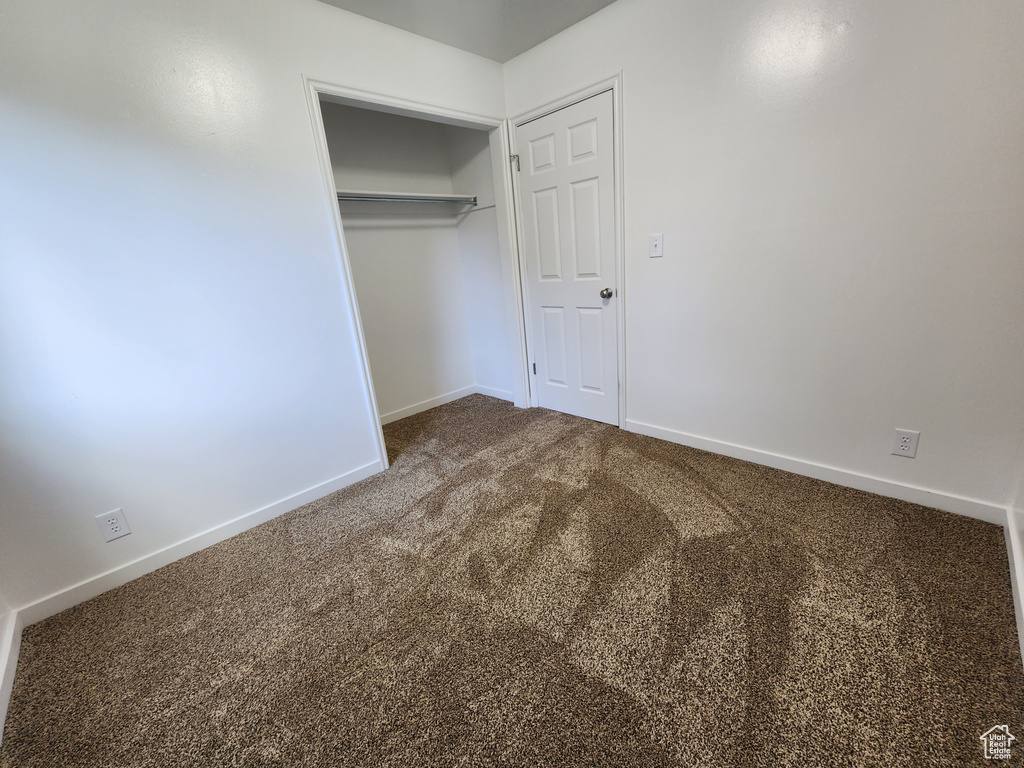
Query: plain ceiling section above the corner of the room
[[499, 30]]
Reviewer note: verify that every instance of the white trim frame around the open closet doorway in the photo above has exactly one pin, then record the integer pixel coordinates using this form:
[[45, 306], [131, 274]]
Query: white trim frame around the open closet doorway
[[504, 200]]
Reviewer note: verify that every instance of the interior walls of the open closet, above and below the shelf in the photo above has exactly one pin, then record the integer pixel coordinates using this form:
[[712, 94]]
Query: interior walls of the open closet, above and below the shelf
[[429, 279]]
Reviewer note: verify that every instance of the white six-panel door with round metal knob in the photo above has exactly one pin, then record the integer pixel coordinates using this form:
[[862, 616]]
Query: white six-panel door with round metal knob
[[568, 197]]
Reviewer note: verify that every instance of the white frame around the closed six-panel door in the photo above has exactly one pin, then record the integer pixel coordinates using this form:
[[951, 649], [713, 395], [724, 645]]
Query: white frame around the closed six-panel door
[[614, 84]]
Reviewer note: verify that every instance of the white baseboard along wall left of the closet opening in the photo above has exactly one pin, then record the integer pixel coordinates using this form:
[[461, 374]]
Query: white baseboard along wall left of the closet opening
[[91, 588]]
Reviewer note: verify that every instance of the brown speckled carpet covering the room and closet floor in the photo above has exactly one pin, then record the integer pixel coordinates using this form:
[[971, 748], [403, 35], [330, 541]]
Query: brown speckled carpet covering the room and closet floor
[[527, 588]]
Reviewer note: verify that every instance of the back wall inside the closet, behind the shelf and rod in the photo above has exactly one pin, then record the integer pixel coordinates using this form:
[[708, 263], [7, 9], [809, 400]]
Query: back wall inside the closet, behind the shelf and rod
[[405, 259]]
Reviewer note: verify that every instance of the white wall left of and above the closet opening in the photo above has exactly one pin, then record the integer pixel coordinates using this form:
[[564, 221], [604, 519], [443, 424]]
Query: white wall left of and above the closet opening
[[173, 323]]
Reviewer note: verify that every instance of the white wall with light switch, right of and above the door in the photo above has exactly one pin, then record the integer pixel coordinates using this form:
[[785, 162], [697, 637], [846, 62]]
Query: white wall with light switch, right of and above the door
[[841, 190]]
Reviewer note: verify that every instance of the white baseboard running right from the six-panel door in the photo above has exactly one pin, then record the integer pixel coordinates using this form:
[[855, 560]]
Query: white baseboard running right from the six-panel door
[[960, 505]]
